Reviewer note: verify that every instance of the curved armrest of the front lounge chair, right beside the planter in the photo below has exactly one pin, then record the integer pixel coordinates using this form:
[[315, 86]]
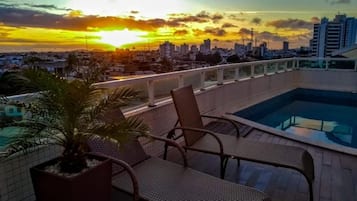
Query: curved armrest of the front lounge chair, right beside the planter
[[128, 169]]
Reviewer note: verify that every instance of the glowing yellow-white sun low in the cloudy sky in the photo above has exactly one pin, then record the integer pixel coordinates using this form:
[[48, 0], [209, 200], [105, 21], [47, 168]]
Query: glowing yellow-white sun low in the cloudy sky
[[119, 38]]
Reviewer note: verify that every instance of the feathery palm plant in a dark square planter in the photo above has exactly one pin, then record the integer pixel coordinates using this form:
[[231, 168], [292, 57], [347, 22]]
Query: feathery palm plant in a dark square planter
[[68, 113]]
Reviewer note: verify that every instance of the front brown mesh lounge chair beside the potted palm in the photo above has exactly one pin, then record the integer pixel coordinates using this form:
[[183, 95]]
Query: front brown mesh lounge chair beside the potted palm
[[151, 178]]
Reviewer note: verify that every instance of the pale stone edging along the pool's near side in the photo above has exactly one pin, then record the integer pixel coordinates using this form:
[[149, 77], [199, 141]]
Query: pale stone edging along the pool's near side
[[280, 133]]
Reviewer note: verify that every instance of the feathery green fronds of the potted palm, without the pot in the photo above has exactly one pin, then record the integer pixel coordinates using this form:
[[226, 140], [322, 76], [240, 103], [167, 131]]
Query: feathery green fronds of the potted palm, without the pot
[[68, 113]]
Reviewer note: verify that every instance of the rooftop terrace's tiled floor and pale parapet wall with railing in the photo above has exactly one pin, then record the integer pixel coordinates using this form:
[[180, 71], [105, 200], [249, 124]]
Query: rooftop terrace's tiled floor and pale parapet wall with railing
[[227, 89]]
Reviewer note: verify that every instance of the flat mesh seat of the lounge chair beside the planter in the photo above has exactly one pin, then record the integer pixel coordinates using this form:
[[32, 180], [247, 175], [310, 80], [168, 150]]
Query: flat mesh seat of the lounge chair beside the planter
[[162, 180]]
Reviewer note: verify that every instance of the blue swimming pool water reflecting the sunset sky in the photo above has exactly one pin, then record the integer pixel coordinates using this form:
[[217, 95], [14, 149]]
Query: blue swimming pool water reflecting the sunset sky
[[327, 116]]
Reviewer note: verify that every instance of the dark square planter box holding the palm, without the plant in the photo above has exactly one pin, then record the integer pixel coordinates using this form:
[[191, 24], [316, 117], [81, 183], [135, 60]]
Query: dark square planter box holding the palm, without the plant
[[92, 185]]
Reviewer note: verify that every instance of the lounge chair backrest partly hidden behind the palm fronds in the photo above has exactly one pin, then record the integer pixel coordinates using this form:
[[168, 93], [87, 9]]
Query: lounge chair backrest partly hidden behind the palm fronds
[[131, 152]]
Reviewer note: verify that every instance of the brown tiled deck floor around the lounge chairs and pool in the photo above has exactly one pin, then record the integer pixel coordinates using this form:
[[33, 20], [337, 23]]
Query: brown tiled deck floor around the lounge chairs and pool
[[335, 173]]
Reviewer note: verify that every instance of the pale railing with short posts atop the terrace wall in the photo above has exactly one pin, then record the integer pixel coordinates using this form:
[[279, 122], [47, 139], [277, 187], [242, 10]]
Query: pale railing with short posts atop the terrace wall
[[266, 68]]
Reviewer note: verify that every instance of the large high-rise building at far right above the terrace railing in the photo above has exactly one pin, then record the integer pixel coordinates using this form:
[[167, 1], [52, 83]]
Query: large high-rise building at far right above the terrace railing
[[330, 36]]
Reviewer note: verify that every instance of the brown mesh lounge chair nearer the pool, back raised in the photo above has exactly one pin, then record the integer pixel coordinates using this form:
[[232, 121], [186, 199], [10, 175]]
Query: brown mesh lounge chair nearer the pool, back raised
[[198, 138]]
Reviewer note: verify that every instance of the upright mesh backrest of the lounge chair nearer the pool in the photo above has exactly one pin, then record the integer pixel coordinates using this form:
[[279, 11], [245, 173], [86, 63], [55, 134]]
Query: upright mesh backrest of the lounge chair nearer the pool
[[188, 113]]
